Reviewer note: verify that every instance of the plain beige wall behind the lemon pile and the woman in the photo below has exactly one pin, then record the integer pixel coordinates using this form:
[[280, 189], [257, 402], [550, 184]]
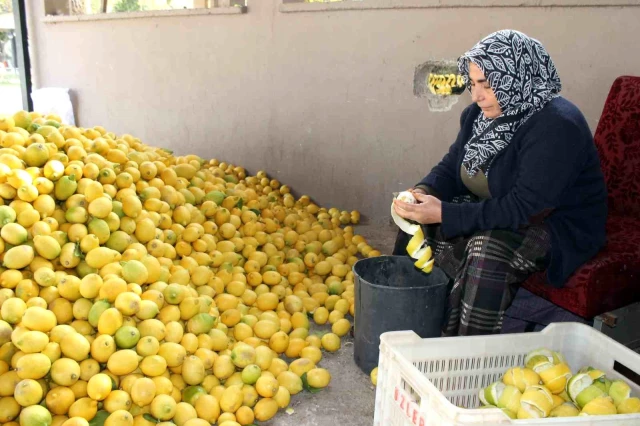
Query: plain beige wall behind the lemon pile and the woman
[[323, 101]]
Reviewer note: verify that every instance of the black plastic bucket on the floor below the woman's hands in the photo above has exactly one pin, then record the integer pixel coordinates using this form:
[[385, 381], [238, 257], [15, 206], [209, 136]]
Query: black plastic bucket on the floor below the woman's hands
[[393, 295]]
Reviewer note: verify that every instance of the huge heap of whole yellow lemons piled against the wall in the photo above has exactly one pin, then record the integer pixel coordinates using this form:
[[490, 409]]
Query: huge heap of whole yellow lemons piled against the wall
[[142, 288]]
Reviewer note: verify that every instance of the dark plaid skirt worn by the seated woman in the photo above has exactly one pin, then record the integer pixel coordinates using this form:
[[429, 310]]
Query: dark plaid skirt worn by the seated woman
[[485, 271]]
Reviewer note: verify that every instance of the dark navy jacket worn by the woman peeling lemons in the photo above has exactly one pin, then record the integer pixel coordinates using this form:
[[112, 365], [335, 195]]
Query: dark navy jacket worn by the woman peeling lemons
[[551, 164]]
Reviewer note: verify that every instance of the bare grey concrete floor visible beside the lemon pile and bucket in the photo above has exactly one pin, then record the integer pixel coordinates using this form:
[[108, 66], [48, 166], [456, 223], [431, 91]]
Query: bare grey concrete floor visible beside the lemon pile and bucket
[[349, 399]]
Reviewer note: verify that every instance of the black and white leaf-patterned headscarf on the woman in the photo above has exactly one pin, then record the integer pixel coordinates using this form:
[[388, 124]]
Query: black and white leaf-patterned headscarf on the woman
[[523, 78]]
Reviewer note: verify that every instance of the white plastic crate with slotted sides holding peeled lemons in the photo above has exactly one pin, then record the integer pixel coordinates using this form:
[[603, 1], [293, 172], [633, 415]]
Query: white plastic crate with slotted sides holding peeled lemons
[[435, 382]]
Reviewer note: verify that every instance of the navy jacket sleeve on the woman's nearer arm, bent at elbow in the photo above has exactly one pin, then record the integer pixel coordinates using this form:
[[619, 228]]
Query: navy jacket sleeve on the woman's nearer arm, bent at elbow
[[551, 158]]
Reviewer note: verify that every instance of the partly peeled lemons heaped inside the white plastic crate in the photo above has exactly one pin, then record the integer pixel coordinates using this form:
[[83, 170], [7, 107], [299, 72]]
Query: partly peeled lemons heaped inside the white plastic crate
[[546, 388]]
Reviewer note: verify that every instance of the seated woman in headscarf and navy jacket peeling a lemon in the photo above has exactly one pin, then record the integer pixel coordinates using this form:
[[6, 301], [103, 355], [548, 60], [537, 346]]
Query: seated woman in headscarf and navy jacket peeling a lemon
[[520, 190]]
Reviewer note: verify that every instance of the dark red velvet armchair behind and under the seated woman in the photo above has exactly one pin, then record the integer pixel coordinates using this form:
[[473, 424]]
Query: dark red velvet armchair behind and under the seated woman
[[612, 278]]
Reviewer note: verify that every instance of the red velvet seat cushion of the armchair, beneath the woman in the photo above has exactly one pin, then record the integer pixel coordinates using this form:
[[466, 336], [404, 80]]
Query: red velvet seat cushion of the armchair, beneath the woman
[[608, 281]]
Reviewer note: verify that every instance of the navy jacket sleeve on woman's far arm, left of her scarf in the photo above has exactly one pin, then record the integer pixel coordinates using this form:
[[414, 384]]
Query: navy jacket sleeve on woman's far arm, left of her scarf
[[443, 178]]
